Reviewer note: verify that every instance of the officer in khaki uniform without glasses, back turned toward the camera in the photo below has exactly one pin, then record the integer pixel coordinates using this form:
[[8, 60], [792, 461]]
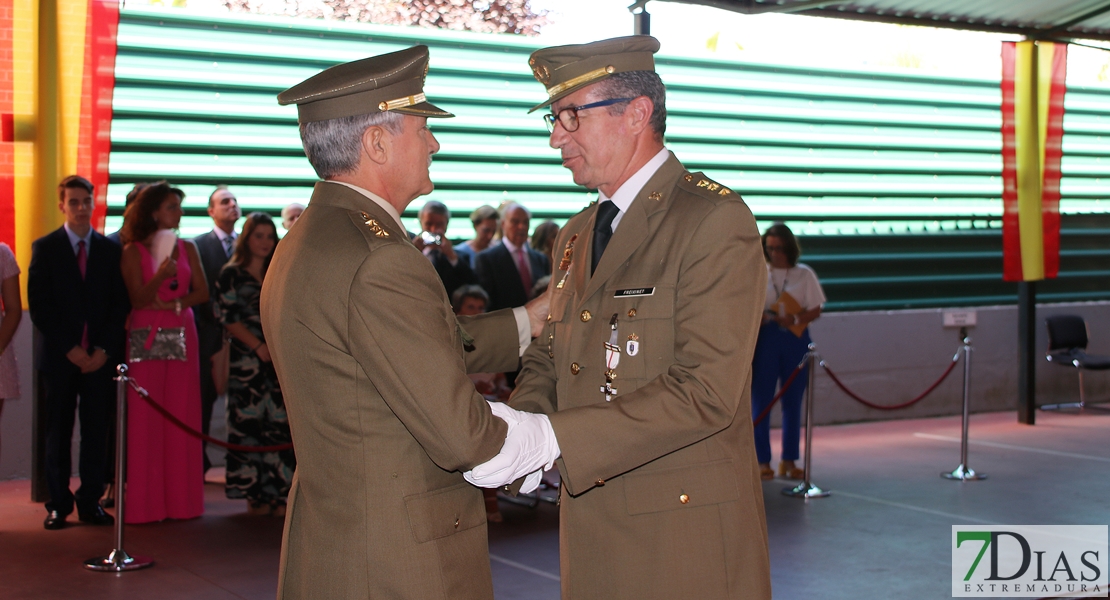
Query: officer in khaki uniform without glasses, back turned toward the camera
[[372, 361]]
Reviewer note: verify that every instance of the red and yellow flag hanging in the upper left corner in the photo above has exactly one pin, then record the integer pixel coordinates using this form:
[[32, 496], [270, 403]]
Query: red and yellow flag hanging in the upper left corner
[[57, 78]]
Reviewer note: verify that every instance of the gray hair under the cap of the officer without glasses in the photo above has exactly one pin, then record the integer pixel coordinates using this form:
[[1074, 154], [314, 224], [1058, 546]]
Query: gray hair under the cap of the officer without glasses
[[334, 146]]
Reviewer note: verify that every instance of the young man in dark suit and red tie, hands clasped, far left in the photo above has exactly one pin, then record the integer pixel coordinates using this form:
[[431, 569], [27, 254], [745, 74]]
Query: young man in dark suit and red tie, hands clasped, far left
[[80, 304]]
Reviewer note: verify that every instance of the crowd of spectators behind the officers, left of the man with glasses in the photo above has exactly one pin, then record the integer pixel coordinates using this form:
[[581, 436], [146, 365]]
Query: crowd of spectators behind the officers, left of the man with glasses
[[184, 314]]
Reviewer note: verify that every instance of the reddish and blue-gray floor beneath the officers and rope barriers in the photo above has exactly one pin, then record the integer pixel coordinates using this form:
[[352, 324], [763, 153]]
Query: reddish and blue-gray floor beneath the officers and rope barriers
[[884, 533]]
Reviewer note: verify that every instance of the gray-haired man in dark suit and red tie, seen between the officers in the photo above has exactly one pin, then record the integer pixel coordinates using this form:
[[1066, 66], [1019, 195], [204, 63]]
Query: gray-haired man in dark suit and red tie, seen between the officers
[[509, 270]]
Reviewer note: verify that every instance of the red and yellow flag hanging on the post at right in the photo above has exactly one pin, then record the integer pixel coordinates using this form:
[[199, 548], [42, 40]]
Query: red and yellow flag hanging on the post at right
[[1033, 134]]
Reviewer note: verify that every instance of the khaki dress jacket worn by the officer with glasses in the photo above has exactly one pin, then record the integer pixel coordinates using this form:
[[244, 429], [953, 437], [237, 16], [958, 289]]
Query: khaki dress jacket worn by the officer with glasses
[[661, 493]]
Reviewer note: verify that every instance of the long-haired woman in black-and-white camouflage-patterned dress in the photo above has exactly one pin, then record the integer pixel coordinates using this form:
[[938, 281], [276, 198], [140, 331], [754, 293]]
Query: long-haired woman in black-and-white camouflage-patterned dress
[[256, 409]]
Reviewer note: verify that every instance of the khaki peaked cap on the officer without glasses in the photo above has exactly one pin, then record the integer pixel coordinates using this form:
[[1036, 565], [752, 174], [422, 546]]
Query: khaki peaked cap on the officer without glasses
[[387, 83]]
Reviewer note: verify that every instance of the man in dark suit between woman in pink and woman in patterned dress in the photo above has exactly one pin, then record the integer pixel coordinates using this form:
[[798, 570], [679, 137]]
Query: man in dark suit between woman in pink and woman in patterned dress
[[215, 248]]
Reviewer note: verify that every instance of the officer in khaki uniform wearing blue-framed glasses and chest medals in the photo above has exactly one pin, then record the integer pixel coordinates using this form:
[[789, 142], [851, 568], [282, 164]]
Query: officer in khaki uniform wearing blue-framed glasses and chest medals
[[645, 367]]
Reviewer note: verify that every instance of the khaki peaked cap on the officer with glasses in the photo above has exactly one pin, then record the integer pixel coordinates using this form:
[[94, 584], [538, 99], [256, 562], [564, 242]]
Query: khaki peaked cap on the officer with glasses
[[566, 69]]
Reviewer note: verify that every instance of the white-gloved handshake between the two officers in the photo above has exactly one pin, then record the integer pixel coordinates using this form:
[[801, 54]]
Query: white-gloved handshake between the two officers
[[530, 450]]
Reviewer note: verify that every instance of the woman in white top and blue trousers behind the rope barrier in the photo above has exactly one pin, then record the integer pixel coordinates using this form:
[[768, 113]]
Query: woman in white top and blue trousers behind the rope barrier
[[794, 301]]
